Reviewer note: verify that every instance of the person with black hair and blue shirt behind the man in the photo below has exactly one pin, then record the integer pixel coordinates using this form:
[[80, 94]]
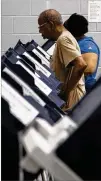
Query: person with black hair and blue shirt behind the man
[[77, 25]]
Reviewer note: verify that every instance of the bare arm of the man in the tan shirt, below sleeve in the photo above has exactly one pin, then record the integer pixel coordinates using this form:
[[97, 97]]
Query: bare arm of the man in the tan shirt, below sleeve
[[78, 70]]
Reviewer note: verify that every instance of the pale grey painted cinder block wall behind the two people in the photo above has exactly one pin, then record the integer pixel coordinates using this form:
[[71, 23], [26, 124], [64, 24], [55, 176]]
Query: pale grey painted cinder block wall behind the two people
[[19, 19]]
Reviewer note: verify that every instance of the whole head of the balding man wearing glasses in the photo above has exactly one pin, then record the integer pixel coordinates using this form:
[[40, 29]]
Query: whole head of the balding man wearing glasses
[[50, 24]]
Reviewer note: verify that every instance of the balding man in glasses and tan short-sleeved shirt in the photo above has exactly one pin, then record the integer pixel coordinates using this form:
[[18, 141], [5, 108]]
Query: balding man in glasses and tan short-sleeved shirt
[[67, 62]]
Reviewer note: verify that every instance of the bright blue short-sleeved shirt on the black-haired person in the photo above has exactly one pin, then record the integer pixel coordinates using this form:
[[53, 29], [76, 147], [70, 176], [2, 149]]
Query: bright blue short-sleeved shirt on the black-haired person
[[87, 45]]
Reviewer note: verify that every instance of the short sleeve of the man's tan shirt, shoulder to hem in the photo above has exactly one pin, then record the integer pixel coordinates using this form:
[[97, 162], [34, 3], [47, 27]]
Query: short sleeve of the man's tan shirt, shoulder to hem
[[68, 50]]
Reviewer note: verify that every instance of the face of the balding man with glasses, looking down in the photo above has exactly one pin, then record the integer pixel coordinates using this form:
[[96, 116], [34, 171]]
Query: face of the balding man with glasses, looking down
[[45, 29]]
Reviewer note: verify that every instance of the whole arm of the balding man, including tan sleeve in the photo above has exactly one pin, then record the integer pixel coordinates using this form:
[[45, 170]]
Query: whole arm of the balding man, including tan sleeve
[[71, 54]]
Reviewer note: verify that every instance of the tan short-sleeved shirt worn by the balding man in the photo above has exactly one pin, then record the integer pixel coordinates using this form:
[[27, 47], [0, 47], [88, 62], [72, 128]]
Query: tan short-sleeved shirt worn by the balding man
[[66, 50]]
